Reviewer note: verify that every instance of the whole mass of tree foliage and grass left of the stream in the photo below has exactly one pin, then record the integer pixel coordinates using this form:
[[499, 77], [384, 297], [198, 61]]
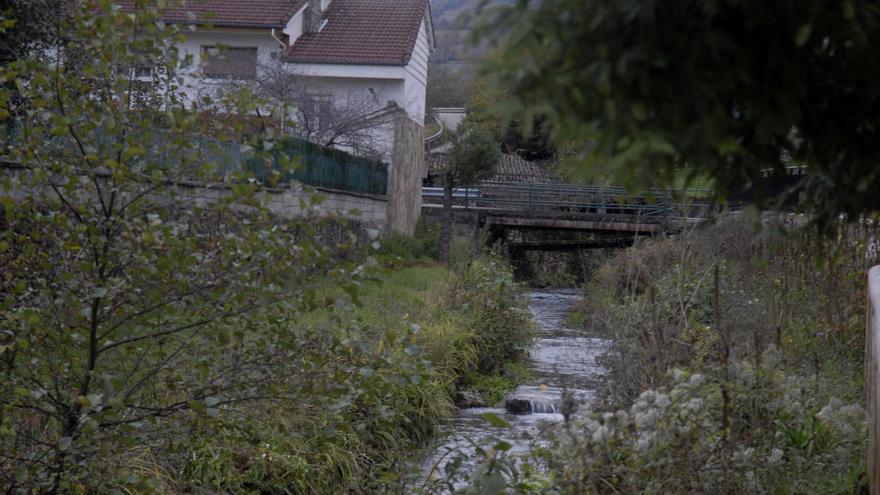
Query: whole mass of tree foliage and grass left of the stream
[[162, 331]]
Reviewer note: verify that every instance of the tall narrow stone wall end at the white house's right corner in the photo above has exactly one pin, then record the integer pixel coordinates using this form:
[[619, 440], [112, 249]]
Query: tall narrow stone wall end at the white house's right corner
[[405, 175]]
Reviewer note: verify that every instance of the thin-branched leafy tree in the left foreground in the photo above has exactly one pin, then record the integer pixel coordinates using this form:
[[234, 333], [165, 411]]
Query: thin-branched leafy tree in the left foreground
[[132, 312]]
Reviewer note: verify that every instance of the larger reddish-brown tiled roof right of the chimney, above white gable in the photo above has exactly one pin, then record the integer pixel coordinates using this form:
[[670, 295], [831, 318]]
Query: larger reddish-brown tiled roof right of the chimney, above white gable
[[369, 32]]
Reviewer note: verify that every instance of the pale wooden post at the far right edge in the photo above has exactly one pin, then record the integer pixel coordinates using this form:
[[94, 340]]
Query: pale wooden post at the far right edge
[[872, 379]]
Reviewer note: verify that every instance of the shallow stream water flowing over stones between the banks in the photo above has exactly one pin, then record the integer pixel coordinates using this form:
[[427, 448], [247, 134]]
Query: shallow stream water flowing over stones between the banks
[[563, 363]]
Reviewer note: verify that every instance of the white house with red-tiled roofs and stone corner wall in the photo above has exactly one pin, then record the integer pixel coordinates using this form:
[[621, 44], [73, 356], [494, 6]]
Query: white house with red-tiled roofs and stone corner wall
[[369, 57]]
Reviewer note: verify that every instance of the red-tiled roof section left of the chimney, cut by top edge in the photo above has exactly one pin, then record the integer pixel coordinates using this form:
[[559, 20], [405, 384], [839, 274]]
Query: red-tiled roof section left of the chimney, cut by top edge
[[264, 14]]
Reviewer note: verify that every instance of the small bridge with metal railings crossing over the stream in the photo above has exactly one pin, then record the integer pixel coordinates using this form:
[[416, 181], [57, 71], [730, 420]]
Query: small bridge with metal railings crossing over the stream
[[613, 215]]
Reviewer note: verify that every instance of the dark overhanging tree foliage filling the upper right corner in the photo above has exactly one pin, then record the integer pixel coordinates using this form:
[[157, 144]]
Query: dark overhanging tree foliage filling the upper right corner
[[730, 90]]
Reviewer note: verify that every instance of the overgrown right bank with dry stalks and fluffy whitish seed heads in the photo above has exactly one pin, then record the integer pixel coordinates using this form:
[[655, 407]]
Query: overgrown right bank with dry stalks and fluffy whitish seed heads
[[736, 364]]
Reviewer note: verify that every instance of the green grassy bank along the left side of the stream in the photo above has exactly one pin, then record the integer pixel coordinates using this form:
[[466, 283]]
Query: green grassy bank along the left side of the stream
[[391, 357]]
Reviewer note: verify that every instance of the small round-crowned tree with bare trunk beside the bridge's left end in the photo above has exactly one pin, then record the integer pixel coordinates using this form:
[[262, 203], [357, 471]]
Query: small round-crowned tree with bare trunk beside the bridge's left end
[[473, 154]]
